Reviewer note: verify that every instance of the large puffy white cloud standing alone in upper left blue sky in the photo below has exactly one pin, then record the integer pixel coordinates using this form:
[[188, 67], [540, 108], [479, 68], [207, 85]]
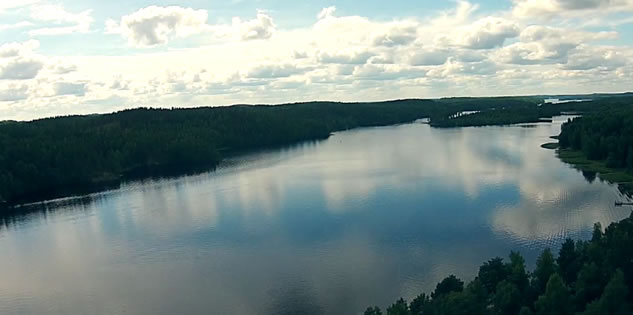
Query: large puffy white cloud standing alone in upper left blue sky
[[155, 25]]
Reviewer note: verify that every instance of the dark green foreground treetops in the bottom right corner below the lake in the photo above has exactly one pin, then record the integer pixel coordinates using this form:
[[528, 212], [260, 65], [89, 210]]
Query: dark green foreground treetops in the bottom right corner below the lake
[[588, 277]]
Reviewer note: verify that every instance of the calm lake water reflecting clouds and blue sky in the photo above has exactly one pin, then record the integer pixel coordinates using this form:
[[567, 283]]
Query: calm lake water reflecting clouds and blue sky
[[326, 227]]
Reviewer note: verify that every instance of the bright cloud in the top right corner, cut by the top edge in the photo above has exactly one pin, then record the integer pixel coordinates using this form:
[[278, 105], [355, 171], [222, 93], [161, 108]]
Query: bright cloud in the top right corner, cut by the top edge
[[551, 8]]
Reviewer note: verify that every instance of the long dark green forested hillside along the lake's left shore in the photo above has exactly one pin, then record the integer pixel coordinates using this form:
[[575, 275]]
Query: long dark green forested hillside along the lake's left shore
[[65, 155]]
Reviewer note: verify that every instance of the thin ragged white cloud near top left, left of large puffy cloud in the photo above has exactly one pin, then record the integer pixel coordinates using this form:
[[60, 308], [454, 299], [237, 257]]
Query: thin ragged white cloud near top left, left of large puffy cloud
[[57, 15]]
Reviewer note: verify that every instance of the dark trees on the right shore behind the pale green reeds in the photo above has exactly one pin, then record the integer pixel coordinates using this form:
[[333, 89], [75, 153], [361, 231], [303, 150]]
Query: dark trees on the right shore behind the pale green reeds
[[606, 135]]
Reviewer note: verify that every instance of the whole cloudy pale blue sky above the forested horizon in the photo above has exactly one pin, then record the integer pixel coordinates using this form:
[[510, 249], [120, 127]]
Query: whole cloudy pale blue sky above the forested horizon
[[78, 57]]
